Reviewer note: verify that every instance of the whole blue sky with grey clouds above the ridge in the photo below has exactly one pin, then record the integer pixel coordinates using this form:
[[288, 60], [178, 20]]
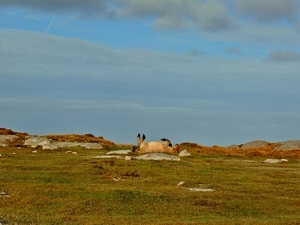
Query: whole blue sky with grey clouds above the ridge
[[212, 72]]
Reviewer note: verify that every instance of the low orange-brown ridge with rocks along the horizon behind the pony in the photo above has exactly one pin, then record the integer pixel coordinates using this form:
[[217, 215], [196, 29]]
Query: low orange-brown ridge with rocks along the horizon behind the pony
[[291, 148]]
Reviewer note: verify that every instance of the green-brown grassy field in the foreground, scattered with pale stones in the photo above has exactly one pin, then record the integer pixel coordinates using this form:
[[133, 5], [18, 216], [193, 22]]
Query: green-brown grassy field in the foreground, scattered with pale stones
[[52, 187]]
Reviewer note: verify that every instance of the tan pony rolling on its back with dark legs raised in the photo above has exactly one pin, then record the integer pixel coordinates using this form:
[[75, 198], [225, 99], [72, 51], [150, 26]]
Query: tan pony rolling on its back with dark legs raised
[[156, 146]]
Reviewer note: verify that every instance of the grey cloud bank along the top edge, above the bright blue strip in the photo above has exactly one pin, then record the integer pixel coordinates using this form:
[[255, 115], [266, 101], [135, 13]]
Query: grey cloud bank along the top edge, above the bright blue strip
[[209, 15]]
